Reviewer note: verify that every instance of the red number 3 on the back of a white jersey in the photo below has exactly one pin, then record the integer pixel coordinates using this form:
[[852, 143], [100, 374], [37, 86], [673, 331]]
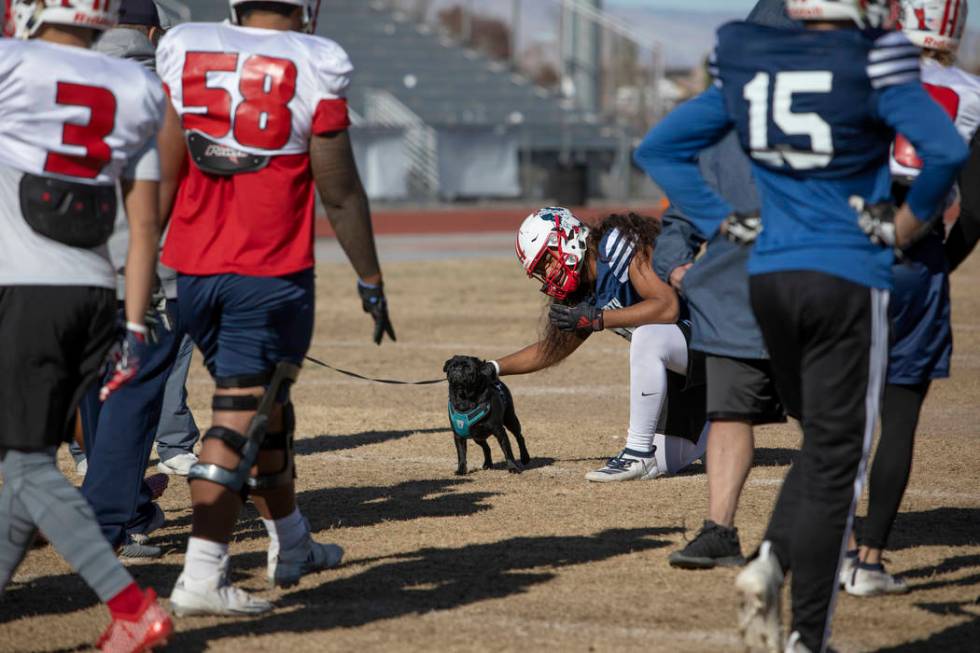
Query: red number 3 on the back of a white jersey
[[90, 136]]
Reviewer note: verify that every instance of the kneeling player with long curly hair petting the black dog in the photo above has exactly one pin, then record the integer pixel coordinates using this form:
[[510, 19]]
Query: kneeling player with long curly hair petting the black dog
[[602, 278]]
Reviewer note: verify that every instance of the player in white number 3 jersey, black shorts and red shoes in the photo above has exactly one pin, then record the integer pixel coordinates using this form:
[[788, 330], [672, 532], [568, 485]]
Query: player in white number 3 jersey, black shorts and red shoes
[[74, 124]]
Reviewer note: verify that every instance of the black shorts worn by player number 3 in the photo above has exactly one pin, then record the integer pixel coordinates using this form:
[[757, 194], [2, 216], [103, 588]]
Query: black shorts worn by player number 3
[[55, 340]]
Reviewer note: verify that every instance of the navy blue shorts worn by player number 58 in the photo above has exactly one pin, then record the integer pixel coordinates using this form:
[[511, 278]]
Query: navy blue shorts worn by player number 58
[[245, 326]]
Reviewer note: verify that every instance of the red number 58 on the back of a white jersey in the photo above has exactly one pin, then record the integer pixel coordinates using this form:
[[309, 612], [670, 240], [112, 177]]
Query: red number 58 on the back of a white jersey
[[262, 119]]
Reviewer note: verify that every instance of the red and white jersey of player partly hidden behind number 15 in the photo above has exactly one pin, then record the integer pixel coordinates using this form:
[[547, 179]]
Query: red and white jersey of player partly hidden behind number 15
[[958, 92]]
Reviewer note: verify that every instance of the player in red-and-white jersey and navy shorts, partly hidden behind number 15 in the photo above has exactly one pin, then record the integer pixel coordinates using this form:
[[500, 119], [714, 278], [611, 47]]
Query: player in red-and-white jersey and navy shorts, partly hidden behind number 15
[[919, 307]]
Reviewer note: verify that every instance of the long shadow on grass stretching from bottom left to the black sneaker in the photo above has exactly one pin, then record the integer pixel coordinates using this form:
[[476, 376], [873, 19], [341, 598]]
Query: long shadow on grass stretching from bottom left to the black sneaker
[[431, 579]]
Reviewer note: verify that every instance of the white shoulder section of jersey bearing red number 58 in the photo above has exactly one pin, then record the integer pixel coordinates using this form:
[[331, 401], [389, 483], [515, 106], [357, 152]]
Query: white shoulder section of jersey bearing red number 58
[[259, 91]]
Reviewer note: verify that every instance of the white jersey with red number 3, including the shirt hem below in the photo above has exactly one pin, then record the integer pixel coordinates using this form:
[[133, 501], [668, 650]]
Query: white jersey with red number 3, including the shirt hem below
[[75, 117]]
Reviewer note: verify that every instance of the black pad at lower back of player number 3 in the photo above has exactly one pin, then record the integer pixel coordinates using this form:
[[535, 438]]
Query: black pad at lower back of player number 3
[[77, 215]]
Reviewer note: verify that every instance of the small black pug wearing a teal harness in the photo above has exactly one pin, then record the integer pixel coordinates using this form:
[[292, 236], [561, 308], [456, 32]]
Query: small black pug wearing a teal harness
[[480, 405]]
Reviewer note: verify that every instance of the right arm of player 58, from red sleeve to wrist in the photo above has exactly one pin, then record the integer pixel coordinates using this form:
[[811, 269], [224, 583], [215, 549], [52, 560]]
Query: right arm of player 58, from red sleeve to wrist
[[346, 203]]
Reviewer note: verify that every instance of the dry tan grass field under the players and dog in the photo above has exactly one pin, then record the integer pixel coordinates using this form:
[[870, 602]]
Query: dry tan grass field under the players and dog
[[541, 561]]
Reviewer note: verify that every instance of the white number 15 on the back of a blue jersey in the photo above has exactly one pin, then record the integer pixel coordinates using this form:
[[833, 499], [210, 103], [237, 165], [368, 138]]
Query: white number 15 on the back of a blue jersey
[[812, 125]]
